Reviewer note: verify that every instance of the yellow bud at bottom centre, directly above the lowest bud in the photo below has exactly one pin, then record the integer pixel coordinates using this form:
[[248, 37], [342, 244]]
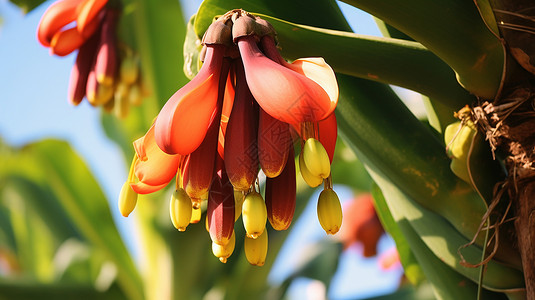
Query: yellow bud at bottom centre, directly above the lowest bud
[[254, 214]]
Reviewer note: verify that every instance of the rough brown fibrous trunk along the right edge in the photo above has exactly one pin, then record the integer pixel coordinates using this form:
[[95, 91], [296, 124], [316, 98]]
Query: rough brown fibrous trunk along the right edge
[[514, 127]]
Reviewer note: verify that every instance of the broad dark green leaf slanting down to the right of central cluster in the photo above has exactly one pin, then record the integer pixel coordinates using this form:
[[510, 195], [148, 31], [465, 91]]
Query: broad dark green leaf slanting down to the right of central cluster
[[393, 141]]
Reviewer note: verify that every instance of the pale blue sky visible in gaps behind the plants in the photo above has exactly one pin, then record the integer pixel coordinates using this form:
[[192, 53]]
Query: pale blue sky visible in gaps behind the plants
[[34, 106]]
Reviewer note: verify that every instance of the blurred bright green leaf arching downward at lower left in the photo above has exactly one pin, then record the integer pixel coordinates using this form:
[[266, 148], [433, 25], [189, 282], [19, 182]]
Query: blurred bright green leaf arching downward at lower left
[[54, 165]]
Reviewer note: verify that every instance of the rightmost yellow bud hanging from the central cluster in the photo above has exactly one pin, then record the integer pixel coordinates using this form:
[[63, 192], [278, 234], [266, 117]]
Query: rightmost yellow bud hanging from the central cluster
[[329, 211]]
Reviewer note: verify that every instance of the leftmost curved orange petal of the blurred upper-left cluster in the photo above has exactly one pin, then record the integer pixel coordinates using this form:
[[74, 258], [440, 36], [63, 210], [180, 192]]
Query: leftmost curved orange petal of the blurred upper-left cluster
[[58, 15]]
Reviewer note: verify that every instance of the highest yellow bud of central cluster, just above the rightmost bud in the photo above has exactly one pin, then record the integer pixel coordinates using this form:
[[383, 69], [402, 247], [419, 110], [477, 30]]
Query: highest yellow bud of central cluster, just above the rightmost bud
[[316, 158]]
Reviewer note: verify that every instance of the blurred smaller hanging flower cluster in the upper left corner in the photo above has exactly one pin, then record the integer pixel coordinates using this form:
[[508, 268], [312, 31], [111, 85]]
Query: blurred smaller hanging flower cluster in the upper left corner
[[106, 71]]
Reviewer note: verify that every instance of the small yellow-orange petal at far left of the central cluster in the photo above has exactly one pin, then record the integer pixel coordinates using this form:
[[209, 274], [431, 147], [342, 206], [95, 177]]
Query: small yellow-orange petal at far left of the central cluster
[[154, 167]]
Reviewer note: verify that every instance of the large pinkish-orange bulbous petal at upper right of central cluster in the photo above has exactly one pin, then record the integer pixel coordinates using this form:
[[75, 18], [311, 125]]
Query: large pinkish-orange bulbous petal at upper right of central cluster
[[282, 92]]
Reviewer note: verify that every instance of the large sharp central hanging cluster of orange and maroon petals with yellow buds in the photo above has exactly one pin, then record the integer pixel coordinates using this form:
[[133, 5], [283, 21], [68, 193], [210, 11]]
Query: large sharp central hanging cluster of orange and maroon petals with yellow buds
[[217, 154]]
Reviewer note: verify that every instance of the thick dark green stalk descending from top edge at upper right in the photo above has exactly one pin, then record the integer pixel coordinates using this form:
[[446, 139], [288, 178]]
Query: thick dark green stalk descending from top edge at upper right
[[454, 31]]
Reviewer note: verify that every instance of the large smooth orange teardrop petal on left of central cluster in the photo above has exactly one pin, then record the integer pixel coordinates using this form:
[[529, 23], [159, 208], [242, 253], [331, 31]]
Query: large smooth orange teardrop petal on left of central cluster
[[183, 121]]
